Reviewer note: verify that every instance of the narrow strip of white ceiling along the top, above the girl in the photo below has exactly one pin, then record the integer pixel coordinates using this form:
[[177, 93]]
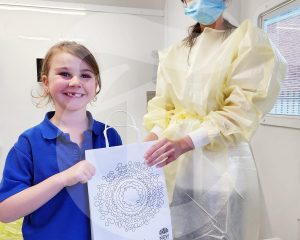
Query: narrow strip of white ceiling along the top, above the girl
[[148, 4]]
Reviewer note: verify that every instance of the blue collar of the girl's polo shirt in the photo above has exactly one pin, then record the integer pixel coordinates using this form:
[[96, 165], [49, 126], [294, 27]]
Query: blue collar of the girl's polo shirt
[[50, 131]]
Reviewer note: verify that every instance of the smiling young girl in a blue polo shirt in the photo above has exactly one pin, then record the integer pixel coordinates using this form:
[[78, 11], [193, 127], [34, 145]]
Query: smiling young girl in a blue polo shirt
[[45, 174]]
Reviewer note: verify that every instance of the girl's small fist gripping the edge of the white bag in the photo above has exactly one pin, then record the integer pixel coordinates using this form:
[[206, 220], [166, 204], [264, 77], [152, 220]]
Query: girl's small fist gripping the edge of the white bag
[[81, 172]]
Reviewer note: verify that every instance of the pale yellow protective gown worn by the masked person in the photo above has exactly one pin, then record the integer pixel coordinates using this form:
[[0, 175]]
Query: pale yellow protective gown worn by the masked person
[[230, 79]]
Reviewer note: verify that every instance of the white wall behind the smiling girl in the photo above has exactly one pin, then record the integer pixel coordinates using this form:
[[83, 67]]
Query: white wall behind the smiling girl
[[122, 42]]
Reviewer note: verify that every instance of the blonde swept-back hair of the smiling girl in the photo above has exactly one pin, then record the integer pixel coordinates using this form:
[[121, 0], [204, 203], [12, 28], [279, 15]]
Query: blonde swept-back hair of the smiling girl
[[74, 49]]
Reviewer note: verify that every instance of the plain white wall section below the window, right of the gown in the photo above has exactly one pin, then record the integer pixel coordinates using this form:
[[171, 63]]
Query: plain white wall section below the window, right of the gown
[[277, 152]]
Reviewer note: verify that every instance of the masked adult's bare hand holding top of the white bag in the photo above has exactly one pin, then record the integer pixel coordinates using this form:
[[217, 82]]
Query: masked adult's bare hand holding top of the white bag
[[166, 151]]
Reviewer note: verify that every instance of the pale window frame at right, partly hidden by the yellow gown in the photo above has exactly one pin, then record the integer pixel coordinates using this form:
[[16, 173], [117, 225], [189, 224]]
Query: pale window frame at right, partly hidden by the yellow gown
[[287, 121]]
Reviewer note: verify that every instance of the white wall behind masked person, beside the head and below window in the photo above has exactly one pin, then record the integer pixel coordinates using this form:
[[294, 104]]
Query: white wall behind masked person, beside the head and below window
[[276, 149]]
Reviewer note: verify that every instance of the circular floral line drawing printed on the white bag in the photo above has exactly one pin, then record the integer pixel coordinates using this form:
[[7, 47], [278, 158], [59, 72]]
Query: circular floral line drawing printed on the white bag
[[130, 196]]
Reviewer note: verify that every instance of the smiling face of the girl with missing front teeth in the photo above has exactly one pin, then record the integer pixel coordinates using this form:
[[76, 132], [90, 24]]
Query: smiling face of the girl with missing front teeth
[[71, 83]]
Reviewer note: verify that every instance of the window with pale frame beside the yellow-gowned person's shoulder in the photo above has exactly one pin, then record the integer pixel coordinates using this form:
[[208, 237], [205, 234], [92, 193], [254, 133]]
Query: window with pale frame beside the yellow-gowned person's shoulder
[[282, 24]]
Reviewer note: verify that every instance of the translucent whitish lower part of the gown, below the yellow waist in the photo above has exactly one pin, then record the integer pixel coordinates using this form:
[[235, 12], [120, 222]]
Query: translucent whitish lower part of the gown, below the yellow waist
[[210, 202]]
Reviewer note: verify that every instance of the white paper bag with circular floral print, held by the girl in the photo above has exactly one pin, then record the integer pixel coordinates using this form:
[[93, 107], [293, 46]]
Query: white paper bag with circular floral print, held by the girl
[[128, 199]]
